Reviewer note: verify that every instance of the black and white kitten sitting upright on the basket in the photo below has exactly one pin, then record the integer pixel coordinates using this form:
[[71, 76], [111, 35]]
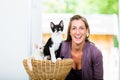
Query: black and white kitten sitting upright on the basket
[[53, 45]]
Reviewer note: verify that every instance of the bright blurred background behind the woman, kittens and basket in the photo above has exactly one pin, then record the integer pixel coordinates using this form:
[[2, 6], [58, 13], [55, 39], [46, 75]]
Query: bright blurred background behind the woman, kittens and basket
[[26, 22]]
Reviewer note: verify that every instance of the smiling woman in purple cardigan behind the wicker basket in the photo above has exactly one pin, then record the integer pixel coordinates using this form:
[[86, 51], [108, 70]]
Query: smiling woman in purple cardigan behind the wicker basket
[[88, 64]]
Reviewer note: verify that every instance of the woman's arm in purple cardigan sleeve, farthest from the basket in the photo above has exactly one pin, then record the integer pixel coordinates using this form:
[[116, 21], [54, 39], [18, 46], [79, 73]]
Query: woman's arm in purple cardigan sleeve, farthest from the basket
[[97, 62]]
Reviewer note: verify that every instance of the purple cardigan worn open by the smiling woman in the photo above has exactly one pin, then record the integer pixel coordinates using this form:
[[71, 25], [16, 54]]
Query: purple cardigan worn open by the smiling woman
[[92, 60]]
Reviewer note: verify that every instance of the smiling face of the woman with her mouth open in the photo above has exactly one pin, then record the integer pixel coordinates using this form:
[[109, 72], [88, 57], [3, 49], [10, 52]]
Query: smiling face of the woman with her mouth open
[[78, 31]]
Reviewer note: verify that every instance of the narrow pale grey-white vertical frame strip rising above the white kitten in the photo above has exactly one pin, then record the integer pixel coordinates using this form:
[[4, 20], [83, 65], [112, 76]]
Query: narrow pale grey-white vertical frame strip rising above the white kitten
[[36, 23]]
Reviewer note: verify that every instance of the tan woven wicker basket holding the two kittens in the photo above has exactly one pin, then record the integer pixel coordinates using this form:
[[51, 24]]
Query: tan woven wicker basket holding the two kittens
[[47, 70]]
